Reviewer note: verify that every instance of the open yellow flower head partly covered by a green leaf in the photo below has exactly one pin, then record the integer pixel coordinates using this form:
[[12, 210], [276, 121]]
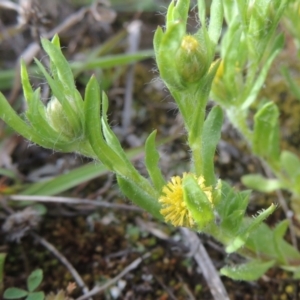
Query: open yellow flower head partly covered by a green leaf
[[174, 208]]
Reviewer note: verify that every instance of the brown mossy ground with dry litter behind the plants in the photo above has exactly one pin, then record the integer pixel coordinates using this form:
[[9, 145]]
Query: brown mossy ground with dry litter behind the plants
[[101, 243]]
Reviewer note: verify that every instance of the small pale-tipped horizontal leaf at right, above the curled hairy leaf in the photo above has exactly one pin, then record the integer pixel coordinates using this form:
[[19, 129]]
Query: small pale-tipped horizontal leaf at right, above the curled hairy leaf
[[260, 183]]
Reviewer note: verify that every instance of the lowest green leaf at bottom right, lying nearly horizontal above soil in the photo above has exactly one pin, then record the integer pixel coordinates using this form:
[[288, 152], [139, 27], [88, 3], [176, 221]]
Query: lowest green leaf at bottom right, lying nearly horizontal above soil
[[249, 271]]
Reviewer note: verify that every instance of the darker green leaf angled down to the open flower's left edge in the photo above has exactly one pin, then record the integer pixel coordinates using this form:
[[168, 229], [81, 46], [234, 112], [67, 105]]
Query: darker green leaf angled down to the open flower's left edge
[[140, 197]]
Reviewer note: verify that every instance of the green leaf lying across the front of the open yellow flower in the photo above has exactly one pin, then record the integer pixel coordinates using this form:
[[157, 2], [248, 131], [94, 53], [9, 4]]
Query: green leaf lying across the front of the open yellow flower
[[197, 202]]
